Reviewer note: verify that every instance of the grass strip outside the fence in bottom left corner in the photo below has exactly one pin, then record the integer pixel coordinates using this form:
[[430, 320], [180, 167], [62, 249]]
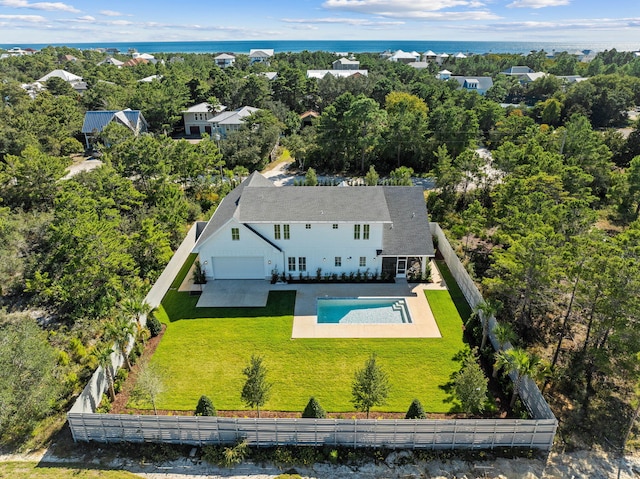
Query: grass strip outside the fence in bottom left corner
[[32, 470]]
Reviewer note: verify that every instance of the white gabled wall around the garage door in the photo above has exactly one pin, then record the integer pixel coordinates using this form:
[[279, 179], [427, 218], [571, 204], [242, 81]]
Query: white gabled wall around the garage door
[[249, 244]]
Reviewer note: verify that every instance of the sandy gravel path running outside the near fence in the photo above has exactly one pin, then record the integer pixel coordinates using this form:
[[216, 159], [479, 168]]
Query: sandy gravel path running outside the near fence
[[575, 465]]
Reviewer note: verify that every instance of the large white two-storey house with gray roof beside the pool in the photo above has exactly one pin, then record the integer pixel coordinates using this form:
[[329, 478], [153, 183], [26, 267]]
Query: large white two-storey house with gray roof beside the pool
[[260, 229]]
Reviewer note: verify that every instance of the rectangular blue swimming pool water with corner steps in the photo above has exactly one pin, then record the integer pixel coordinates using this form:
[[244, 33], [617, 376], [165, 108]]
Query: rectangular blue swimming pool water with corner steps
[[363, 311]]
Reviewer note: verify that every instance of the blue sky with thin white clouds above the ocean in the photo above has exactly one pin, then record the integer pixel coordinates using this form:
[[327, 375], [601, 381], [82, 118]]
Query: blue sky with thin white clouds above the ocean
[[77, 21]]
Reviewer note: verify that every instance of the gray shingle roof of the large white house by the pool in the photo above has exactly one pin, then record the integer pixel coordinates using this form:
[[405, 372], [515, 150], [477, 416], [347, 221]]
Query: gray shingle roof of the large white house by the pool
[[402, 209]]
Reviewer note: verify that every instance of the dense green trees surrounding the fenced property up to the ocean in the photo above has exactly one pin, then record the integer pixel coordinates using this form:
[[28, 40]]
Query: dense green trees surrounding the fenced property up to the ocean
[[549, 228]]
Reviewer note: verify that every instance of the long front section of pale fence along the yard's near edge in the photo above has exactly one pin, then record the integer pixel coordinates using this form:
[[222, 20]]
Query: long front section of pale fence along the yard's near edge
[[390, 433]]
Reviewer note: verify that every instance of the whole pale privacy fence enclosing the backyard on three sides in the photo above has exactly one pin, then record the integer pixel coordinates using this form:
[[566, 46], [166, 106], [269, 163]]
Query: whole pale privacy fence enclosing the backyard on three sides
[[536, 433]]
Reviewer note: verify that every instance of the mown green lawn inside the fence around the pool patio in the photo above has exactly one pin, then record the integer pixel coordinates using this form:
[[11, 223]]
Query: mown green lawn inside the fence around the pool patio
[[204, 351]]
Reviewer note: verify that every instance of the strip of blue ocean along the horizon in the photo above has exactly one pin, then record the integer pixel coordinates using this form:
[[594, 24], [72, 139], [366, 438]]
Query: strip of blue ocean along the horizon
[[350, 46]]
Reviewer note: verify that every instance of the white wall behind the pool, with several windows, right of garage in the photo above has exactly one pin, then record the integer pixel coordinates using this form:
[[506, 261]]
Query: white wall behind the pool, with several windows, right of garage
[[321, 244]]
